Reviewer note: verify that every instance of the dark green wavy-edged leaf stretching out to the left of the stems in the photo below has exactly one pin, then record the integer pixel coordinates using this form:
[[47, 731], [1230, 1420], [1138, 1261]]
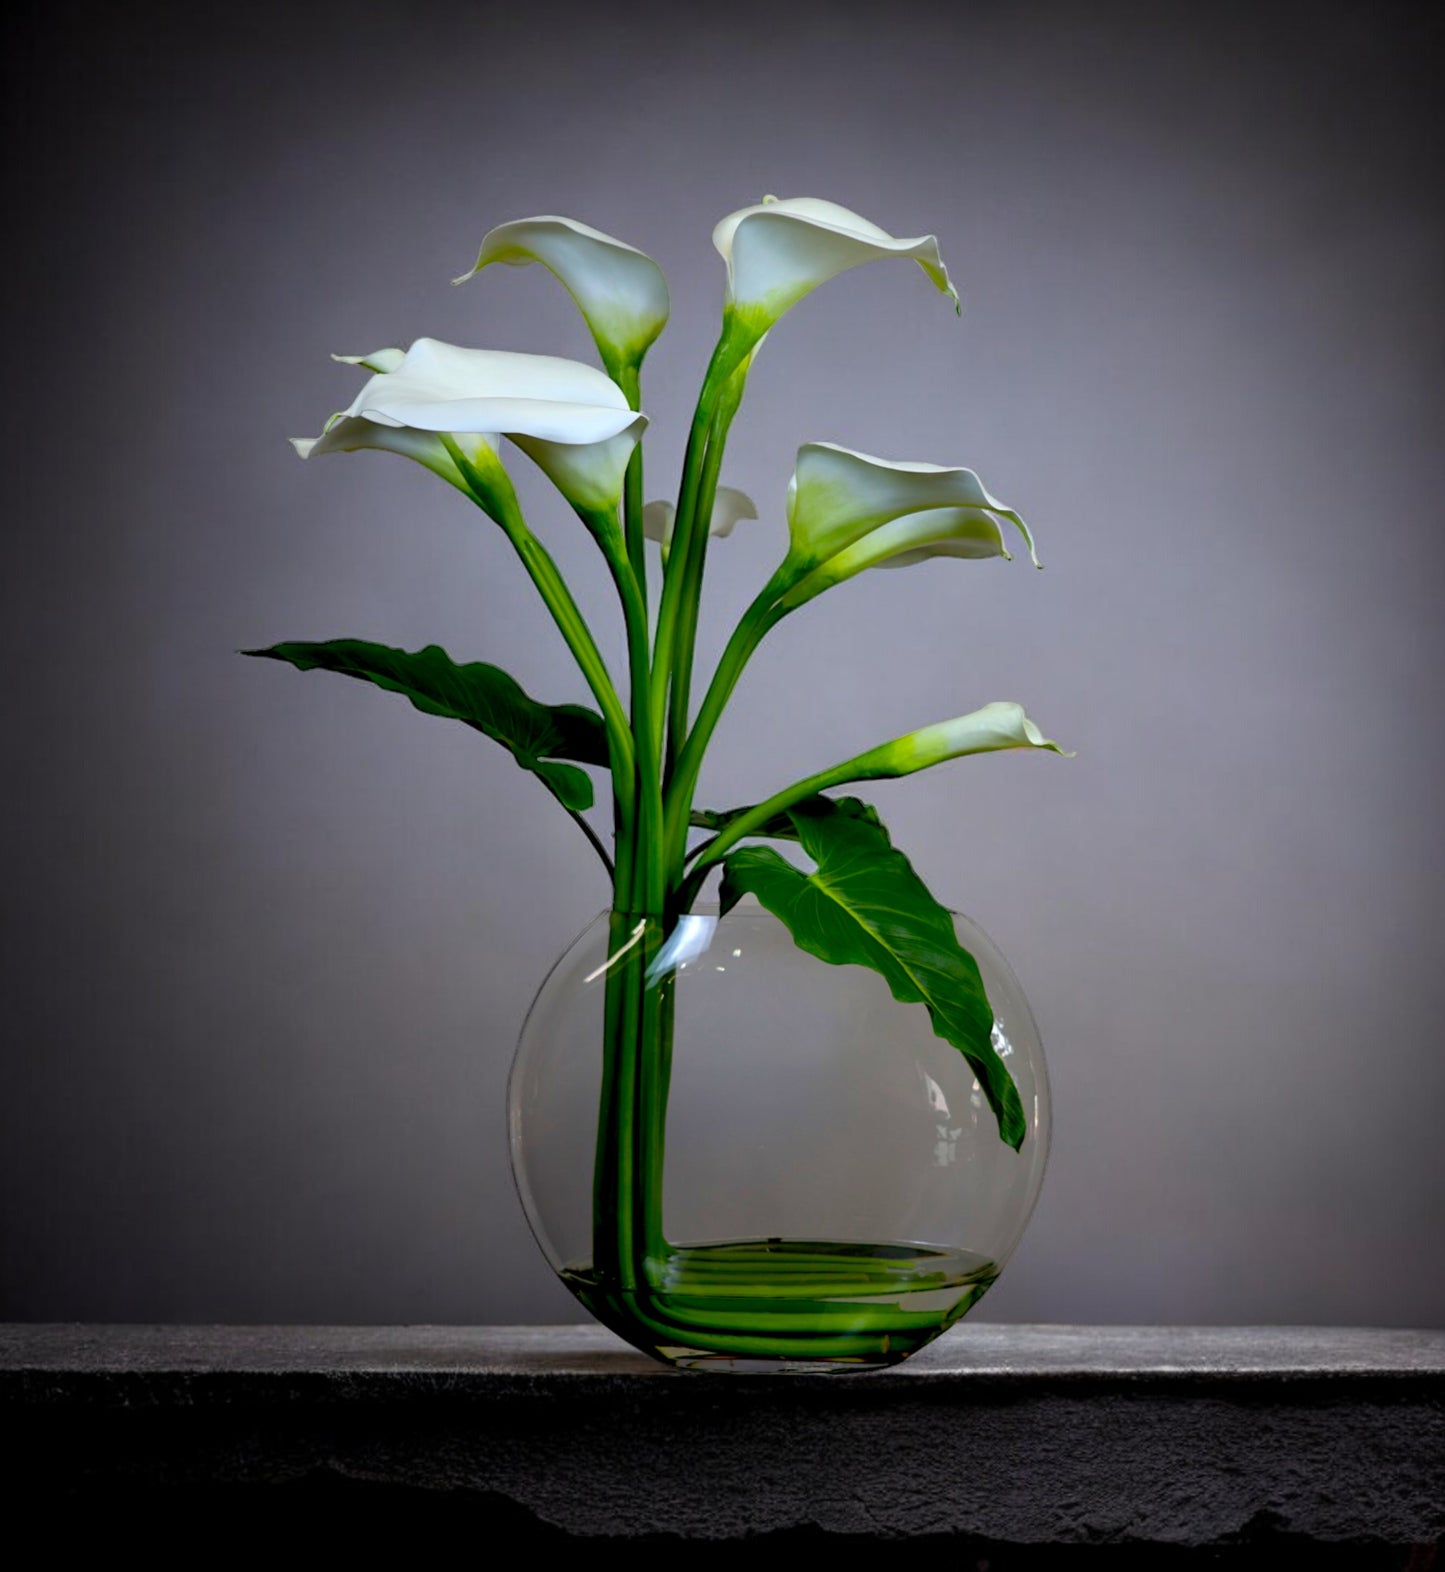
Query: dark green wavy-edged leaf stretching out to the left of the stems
[[479, 696]]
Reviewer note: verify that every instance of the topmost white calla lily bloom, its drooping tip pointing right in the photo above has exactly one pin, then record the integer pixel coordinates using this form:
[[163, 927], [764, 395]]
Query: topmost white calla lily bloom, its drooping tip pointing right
[[778, 252]]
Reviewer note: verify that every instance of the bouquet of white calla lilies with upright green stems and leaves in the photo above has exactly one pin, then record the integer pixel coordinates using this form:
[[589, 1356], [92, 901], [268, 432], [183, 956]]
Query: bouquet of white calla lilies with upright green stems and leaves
[[861, 903]]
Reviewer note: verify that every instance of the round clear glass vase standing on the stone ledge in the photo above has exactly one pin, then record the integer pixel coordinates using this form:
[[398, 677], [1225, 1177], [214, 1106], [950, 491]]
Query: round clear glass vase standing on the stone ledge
[[741, 1158]]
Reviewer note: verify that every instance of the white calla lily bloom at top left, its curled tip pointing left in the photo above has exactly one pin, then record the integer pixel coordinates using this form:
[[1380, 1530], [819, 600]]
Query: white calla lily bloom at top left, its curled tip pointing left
[[619, 290]]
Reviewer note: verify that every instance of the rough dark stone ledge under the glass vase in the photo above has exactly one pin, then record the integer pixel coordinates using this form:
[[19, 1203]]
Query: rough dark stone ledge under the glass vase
[[993, 1438]]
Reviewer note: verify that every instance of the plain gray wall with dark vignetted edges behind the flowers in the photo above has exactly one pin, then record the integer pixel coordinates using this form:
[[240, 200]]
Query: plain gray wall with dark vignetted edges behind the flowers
[[270, 938]]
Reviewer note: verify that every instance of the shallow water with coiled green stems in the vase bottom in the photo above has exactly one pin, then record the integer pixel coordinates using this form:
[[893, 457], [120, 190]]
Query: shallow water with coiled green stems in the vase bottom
[[789, 1306]]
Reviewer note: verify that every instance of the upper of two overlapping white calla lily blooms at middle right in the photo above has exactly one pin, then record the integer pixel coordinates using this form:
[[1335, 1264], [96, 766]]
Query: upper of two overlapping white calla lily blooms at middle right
[[837, 498]]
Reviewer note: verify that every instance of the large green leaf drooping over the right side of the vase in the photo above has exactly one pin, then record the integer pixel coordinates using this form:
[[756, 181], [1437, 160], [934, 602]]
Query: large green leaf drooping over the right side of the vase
[[866, 906]]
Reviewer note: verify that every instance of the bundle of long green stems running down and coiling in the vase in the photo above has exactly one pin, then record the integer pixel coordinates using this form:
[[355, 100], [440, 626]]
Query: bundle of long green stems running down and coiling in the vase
[[768, 1301]]
